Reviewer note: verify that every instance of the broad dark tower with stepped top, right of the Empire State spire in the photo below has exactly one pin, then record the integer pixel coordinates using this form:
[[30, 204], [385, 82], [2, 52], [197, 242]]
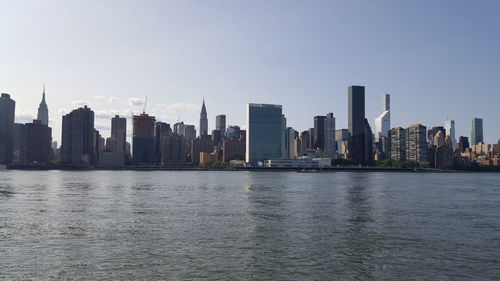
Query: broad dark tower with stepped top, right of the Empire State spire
[[79, 145]]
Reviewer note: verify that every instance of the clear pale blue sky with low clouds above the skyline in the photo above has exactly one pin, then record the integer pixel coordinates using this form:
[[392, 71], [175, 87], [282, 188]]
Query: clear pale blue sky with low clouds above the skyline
[[437, 59]]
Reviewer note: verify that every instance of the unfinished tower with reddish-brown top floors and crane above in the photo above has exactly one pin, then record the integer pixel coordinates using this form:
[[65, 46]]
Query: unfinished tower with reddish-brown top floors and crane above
[[143, 146]]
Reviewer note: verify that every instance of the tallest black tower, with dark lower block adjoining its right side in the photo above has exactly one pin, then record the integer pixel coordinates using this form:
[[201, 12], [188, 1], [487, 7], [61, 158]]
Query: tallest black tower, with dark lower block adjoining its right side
[[360, 149]]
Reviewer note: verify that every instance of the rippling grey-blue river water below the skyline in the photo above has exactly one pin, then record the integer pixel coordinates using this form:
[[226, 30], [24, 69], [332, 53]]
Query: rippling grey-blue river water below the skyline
[[196, 225]]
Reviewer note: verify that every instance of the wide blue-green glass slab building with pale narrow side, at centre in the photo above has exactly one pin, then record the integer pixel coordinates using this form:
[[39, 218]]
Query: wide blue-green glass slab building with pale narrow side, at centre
[[265, 133]]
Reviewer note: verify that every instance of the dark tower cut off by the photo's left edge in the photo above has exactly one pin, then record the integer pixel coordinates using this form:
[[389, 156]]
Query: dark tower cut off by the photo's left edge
[[7, 114]]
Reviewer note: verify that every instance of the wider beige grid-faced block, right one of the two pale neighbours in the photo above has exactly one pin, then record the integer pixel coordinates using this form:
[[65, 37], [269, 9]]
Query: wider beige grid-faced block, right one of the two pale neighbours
[[416, 143]]
